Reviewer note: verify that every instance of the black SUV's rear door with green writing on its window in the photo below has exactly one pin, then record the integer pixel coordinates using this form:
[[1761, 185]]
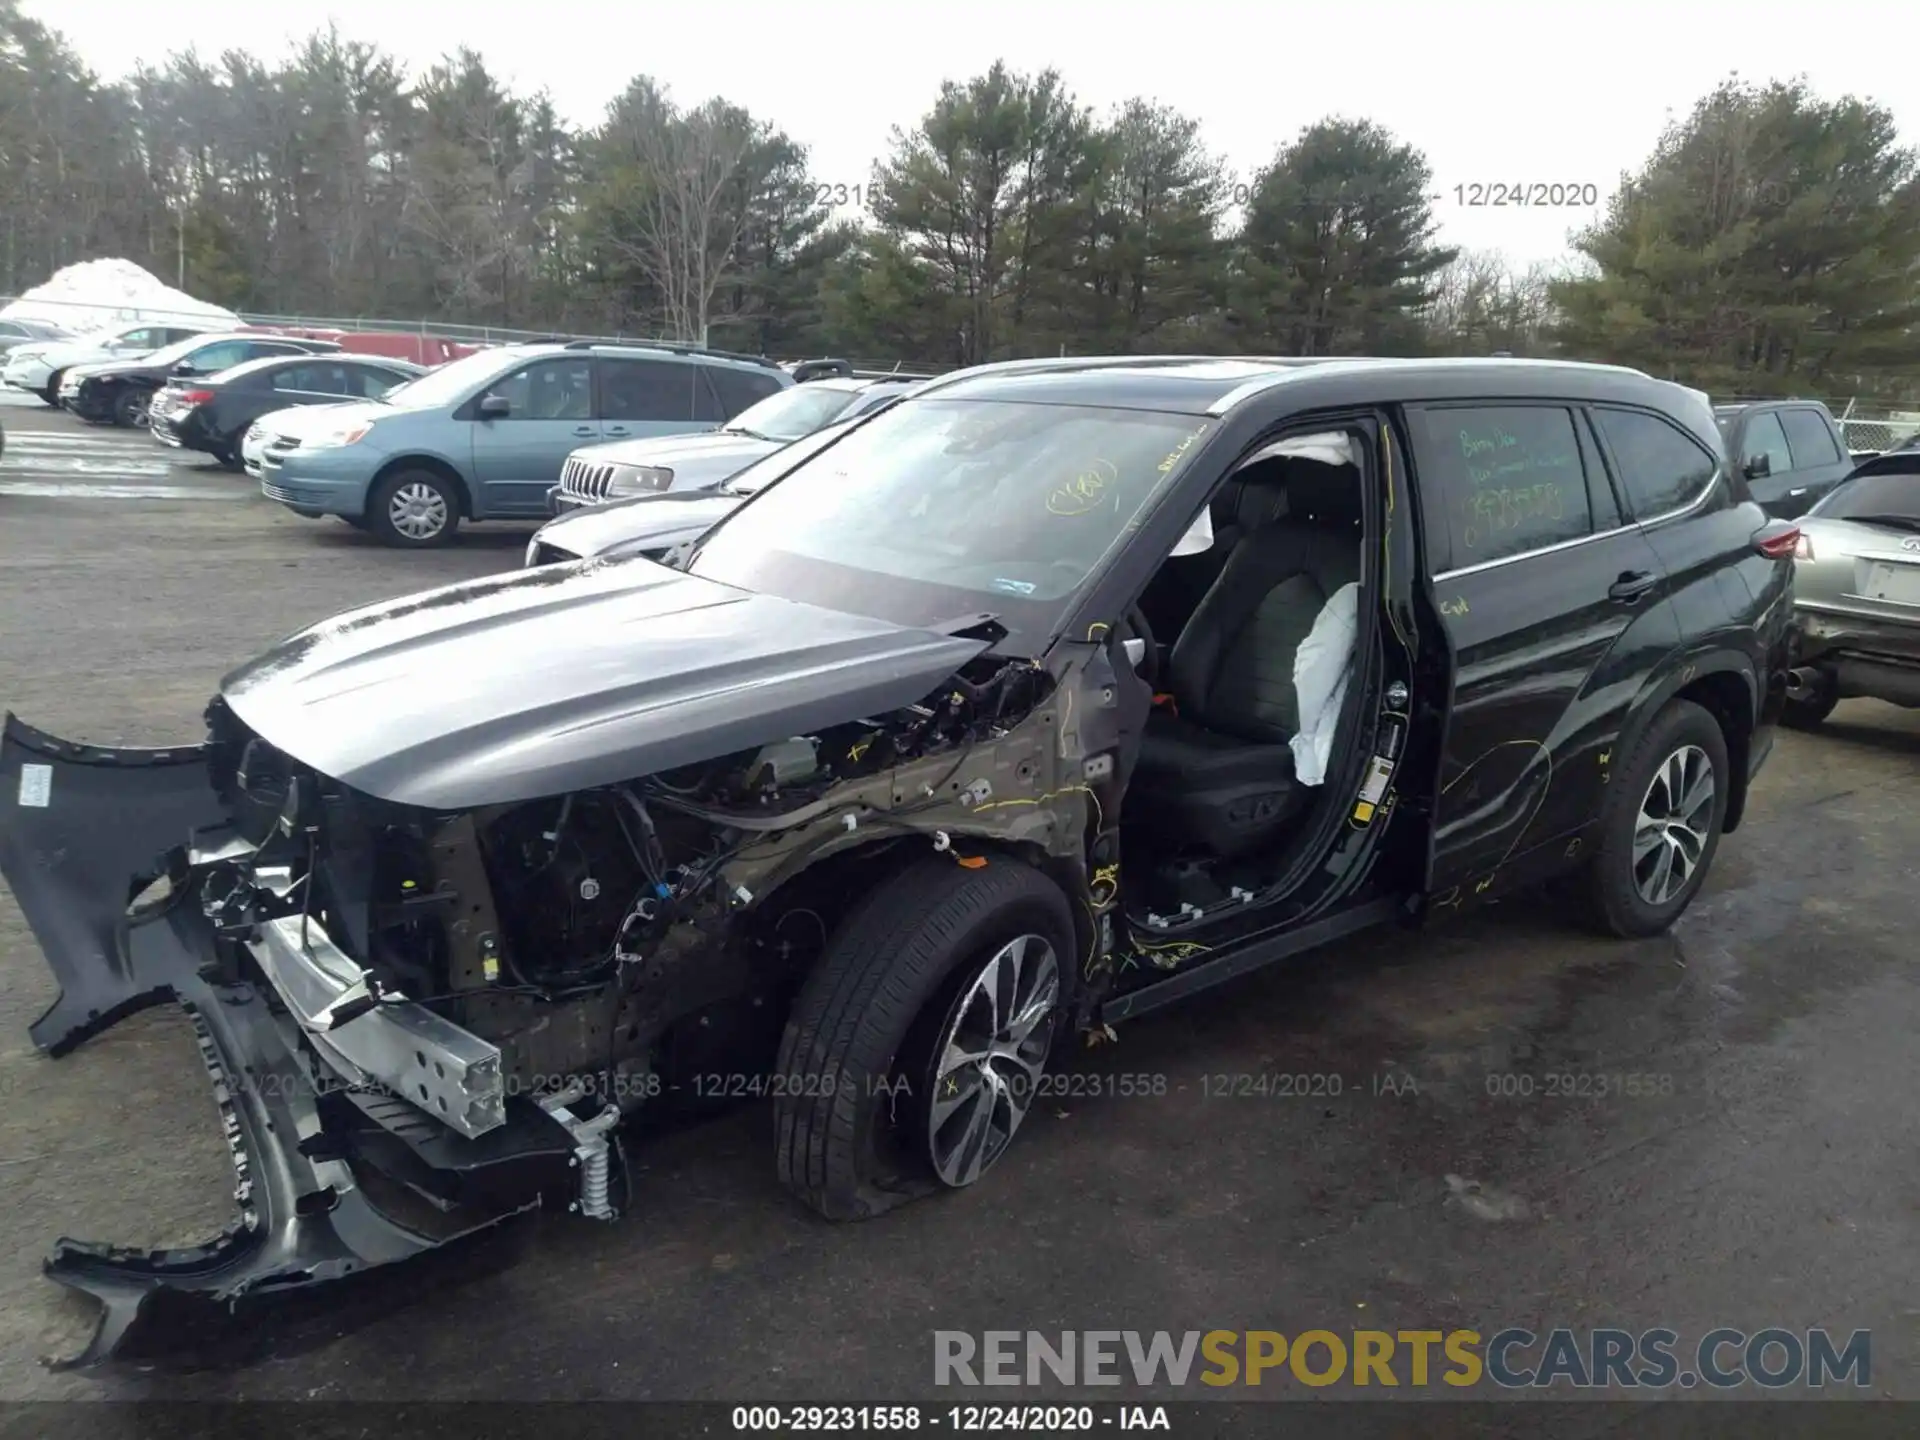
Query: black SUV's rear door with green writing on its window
[[1548, 600]]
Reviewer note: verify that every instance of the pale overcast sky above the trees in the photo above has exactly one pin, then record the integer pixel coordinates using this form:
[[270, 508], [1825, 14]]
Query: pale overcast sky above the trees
[[1495, 93]]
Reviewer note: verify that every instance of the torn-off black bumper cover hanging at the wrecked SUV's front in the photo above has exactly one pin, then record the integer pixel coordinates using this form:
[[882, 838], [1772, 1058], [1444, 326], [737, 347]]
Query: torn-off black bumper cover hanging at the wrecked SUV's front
[[333, 1172]]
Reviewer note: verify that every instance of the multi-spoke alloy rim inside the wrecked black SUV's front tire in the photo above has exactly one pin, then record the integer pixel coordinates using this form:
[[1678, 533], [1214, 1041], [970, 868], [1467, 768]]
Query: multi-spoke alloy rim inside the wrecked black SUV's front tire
[[990, 1059]]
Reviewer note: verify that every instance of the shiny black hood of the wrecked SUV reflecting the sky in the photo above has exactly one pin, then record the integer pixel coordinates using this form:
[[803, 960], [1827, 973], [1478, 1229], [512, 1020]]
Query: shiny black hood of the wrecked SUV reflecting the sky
[[567, 677]]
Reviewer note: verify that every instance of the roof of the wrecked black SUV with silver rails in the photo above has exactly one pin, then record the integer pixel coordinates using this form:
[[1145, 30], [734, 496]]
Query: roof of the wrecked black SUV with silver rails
[[1214, 385]]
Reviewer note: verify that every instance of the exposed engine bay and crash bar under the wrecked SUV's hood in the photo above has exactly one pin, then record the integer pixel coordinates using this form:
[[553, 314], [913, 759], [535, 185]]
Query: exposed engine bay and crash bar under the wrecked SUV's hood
[[596, 946]]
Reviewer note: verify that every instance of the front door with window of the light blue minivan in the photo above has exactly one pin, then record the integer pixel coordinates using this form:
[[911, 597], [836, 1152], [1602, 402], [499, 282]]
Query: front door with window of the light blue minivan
[[519, 456]]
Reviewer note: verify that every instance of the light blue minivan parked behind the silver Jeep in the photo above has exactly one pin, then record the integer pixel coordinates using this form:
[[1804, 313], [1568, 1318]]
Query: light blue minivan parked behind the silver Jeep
[[485, 439]]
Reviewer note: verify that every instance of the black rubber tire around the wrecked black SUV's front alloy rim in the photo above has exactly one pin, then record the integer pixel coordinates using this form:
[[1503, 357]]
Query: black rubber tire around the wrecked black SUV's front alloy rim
[[857, 1057]]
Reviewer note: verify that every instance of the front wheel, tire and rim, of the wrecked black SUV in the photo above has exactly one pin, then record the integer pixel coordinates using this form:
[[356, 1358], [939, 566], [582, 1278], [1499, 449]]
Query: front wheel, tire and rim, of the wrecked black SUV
[[921, 1042]]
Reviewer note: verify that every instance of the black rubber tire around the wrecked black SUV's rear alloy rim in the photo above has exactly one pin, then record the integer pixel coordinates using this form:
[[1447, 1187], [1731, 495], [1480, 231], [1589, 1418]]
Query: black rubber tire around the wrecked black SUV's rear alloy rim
[[1612, 892]]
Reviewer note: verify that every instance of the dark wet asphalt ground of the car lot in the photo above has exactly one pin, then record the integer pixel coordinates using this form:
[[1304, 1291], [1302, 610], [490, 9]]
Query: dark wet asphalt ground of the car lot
[[1466, 1157]]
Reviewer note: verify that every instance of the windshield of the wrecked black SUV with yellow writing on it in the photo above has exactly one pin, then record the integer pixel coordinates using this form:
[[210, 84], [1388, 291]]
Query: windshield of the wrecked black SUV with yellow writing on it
[[944, 508]]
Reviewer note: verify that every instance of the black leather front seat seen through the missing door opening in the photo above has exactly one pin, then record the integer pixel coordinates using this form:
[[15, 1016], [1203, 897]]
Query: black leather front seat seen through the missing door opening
[[1218, 775]]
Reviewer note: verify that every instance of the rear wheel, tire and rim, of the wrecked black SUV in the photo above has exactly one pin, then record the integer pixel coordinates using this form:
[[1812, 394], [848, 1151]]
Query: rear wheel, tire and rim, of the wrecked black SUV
[[1662, 825]]
